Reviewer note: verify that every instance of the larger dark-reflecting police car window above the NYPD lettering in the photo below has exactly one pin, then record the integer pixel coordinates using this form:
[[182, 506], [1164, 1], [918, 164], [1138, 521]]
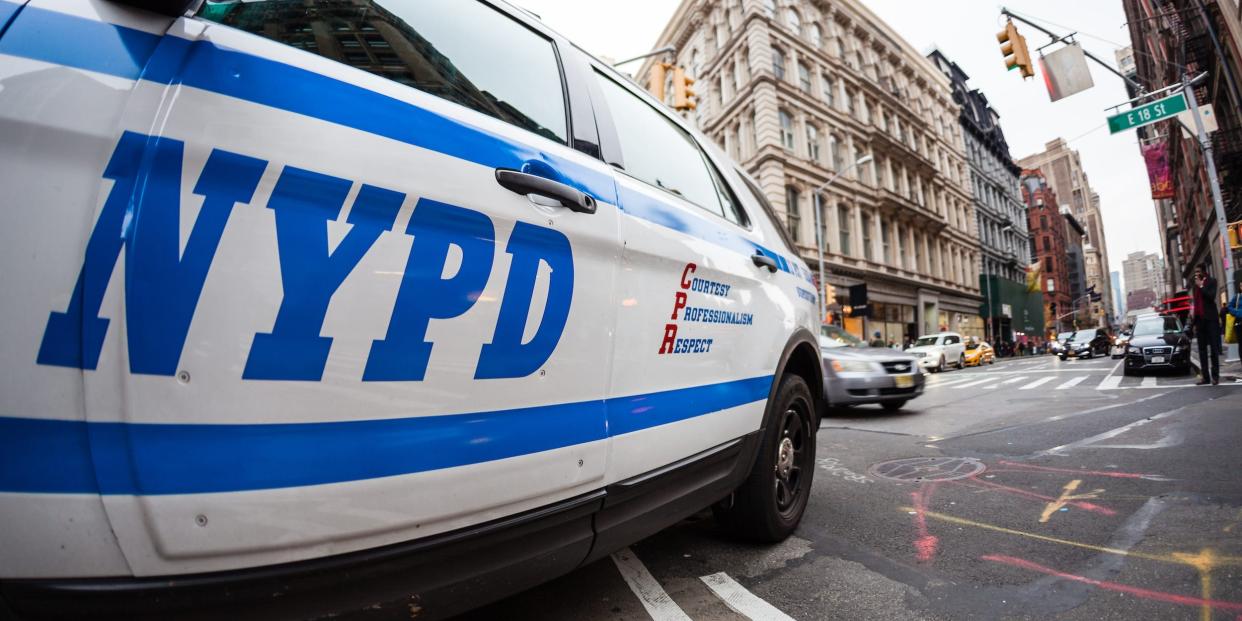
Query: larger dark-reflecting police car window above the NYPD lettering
[[463, 52]]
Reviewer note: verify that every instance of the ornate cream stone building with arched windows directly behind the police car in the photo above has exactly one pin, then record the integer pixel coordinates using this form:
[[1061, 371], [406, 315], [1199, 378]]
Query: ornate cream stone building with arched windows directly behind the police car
[[798, 90]]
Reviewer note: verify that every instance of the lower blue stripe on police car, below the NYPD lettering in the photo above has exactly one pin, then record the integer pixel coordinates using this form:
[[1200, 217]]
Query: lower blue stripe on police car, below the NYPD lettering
[[59, 456]]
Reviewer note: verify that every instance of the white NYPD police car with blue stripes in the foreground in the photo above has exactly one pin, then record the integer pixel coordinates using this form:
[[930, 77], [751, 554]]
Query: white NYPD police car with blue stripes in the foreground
[[336, 306]]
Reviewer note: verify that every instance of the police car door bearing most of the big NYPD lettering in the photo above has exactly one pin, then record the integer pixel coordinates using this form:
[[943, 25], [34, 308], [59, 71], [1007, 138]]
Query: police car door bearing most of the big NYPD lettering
[[392, 315]]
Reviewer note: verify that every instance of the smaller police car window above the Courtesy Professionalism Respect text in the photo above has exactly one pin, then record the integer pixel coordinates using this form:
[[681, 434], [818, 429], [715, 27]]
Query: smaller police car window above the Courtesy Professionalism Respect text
[[659, 152]]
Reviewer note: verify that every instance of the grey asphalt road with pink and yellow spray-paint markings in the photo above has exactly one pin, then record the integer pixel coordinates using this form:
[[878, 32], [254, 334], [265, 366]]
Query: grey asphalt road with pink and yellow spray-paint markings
[[1040, 490]]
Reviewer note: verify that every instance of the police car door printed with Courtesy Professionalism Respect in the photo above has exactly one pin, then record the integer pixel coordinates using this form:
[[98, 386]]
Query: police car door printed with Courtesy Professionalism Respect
[[699, 326]]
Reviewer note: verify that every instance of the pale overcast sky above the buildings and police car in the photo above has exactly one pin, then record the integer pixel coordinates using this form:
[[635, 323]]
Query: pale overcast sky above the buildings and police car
[[967, 34]]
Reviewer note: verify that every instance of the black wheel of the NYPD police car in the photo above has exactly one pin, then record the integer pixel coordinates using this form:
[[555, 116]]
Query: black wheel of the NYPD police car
[[769, 505]]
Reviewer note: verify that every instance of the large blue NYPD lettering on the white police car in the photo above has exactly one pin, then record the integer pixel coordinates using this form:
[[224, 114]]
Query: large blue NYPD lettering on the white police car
[[163, 284]]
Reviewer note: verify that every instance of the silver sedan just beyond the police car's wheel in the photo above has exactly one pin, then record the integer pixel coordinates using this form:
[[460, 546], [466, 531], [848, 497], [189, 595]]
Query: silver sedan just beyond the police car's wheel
[[858, 374]]
